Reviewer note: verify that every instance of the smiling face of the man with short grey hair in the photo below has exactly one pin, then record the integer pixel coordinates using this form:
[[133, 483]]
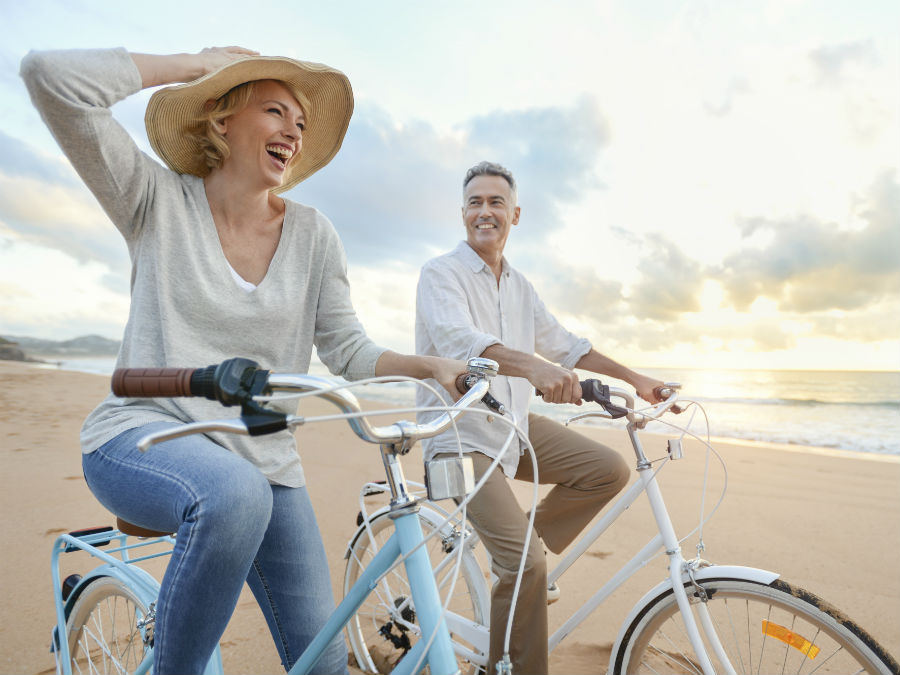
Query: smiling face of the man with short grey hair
[[489, 212]]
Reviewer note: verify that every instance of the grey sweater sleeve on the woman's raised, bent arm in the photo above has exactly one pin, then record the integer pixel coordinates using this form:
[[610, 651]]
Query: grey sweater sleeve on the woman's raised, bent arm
[[73, 90]]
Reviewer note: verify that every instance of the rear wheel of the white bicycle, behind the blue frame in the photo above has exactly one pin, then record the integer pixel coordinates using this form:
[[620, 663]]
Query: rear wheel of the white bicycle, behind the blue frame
[[383, 629]]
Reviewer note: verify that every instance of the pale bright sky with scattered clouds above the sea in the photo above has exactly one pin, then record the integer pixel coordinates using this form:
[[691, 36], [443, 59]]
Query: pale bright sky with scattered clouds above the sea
[[702, 184]]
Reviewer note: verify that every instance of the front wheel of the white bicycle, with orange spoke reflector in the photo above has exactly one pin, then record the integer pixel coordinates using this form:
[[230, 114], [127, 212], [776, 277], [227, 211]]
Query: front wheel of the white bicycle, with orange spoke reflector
[[774, 628]]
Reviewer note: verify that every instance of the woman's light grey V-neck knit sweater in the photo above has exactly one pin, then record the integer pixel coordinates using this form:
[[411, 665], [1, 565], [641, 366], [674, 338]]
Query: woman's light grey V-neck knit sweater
[[186, 309]]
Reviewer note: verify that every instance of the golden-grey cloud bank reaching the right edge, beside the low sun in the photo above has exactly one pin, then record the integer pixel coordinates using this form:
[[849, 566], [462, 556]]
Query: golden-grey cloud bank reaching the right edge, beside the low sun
[[813, 266]]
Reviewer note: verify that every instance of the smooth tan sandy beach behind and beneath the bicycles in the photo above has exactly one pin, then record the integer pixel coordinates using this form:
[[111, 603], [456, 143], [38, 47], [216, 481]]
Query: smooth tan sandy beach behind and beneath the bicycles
[[827, 521]]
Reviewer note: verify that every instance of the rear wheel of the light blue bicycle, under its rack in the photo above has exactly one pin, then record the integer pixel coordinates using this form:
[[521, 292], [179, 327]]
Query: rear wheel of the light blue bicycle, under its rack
[[102, 629]]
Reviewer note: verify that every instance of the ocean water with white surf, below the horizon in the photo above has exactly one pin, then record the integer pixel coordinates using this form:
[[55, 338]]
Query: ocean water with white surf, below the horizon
[[841, 410]]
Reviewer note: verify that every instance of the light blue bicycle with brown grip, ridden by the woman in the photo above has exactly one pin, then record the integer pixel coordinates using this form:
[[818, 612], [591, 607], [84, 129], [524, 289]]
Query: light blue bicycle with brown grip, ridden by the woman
[[105, 619]]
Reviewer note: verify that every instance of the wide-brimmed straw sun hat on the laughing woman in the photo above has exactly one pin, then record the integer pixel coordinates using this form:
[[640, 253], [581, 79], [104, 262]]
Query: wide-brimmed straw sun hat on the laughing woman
[[324, 93]]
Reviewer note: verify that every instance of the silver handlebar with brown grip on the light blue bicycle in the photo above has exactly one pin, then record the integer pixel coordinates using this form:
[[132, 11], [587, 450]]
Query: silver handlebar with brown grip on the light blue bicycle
[[238, 381]]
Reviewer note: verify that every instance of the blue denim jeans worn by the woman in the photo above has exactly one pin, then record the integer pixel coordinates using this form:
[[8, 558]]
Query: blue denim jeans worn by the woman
[[231, 525]]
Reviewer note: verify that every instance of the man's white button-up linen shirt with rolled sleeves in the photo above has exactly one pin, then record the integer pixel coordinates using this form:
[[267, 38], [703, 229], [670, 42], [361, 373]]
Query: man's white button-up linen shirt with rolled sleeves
[[461, 310]]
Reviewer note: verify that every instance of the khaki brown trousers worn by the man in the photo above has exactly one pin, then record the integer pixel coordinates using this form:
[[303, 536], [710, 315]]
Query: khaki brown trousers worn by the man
[[586, 475]]
